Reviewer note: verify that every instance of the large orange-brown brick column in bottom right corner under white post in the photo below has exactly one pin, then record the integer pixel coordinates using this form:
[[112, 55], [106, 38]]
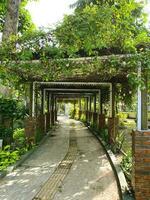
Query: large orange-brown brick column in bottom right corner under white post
[[141, 164]]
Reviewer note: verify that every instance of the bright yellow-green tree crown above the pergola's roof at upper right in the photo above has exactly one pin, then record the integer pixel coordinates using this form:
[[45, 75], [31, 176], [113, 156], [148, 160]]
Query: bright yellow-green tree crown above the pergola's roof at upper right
[[103, 27]]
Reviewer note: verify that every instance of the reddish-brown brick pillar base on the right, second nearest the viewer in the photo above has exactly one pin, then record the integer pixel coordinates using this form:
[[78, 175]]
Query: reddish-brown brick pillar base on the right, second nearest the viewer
[[112, 128]]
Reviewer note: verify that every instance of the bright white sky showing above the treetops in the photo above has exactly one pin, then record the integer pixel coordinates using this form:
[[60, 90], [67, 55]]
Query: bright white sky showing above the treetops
[[48, 12]]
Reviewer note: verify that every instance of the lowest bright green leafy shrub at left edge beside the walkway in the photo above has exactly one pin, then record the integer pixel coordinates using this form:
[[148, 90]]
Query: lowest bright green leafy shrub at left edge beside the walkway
[[8, 157]]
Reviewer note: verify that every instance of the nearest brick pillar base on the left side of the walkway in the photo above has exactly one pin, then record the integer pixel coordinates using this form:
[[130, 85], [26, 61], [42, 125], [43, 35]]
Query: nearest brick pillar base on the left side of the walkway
[[30, 129]]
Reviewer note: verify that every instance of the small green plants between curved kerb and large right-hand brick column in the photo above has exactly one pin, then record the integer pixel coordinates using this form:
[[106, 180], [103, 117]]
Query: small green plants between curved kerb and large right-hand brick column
[[126, 164]]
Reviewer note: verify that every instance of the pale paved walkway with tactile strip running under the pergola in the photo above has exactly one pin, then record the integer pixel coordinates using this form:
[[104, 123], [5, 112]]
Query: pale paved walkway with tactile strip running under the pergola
[[69, 165]]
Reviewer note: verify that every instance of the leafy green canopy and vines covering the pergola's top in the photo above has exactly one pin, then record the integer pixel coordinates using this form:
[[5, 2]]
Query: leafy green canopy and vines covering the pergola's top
[[98, 28]]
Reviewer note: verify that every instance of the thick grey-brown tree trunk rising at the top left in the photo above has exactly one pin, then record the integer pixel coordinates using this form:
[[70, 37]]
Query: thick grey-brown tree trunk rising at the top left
[[11, 19]]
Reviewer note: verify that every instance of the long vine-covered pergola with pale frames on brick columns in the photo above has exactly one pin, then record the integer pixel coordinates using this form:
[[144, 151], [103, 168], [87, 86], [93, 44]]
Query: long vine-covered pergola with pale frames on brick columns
[[89, 85]]
